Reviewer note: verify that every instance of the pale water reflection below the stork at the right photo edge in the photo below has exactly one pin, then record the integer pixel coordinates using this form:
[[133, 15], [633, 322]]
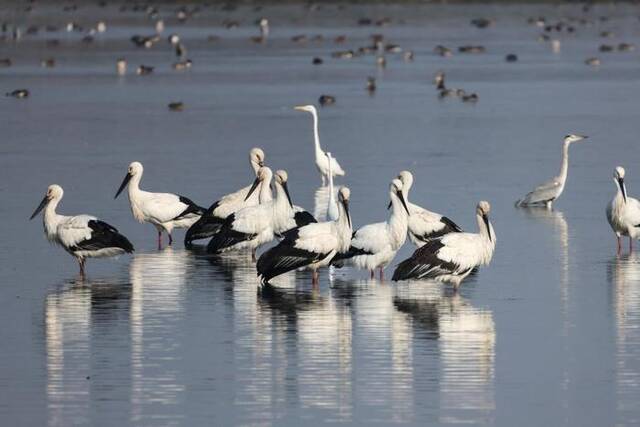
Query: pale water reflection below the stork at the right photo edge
[[624, 275]]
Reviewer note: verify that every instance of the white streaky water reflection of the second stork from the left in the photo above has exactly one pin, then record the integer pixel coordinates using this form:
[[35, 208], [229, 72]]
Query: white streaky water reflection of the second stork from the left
[[156, 328]]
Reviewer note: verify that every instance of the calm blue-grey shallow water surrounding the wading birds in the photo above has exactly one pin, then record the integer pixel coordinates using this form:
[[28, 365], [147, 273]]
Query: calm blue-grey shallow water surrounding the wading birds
[[548, 334]]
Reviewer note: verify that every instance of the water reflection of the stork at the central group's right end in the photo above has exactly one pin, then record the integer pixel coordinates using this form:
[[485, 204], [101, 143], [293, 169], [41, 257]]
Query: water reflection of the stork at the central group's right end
[[465, 338]]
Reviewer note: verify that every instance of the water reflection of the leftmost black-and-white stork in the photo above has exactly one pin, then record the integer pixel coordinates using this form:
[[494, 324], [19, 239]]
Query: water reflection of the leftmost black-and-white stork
[[81, 319]]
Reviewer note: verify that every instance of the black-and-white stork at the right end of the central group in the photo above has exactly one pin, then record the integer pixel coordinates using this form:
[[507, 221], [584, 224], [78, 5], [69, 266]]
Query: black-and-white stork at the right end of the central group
[[452, 257]]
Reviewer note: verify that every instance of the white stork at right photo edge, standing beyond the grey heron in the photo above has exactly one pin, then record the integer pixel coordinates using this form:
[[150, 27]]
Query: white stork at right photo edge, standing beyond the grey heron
[[623, 212]]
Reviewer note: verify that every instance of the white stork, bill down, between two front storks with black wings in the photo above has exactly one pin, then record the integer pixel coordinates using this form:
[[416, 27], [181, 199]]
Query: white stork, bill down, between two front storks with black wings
[[375, 245]]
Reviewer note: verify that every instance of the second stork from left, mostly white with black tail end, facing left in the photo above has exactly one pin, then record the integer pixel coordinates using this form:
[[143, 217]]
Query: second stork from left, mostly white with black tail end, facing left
[[165, 211]]
